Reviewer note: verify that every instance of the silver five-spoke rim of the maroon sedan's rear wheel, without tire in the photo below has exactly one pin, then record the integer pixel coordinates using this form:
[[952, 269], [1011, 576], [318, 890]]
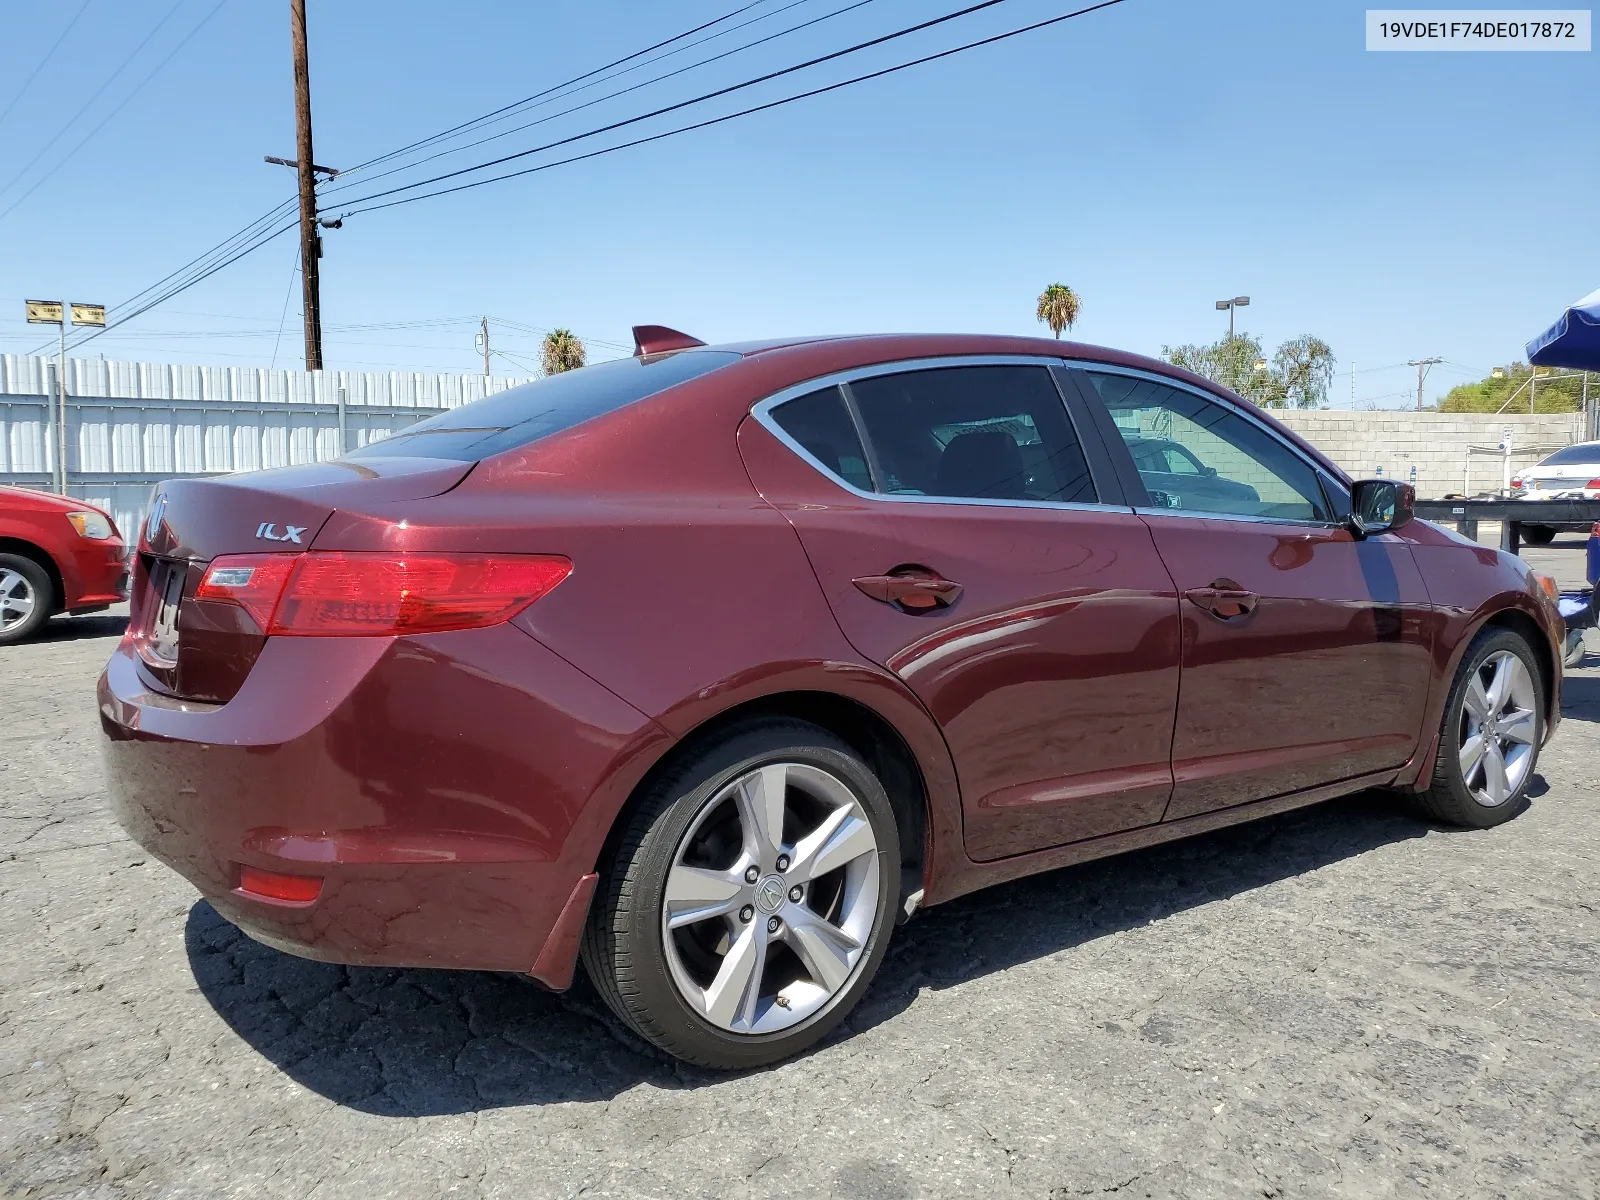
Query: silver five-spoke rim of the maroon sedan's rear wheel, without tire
[[770, 900]]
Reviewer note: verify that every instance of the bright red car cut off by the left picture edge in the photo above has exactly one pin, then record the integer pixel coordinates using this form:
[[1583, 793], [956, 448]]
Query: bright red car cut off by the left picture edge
[[57, 556]]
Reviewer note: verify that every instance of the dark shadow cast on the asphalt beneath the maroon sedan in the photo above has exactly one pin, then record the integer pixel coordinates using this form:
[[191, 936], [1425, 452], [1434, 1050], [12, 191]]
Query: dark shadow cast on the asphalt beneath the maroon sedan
[[417, 1042]]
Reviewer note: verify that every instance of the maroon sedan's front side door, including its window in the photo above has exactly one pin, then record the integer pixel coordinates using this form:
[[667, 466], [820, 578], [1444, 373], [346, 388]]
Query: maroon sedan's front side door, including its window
[[1305, 652]]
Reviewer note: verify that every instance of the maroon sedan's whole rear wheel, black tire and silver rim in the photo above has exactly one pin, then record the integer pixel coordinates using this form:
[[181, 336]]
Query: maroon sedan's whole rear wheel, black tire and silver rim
[[750, 898]]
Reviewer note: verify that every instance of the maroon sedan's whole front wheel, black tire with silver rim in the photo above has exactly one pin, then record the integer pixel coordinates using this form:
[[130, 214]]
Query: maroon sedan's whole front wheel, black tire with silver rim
[[1489, 745]]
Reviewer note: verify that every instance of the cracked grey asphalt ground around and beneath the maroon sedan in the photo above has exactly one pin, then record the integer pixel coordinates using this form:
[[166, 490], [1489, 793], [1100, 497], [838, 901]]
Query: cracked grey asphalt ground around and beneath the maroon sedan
[[1335, 1002]]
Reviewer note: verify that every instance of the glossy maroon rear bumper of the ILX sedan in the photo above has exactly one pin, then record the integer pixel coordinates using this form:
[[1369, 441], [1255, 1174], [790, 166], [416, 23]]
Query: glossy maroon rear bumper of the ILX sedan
[[450, 793]]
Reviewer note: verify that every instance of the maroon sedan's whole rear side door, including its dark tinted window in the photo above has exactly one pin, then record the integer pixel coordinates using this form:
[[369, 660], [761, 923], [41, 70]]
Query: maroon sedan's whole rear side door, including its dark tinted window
[[956, 529]]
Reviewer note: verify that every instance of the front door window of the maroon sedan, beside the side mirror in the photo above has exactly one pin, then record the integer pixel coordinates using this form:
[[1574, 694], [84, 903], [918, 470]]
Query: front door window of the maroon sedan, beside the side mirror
[[1194, 454]]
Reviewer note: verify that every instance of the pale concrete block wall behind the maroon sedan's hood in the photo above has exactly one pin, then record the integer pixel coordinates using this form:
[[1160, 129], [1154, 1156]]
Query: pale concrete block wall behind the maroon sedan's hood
[[1438, 446]]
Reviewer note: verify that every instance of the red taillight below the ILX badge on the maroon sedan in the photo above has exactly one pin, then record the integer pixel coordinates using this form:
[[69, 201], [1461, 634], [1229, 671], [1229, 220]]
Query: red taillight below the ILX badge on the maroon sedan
[[335, 594]]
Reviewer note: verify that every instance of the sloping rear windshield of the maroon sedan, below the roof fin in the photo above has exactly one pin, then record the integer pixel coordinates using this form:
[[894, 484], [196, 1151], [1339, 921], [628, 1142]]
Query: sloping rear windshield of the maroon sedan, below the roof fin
[[522, 415]]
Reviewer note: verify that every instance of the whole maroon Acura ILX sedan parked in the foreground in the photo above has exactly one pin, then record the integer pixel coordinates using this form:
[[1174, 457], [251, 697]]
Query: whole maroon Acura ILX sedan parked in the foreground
[[713, 665]]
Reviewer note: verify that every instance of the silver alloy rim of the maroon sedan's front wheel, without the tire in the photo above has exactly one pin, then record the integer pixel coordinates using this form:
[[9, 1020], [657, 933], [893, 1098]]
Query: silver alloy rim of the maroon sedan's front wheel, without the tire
[[1498, 729]]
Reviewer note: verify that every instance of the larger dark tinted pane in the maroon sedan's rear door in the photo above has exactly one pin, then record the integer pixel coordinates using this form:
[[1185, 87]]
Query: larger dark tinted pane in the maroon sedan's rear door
[[985, 433]]
